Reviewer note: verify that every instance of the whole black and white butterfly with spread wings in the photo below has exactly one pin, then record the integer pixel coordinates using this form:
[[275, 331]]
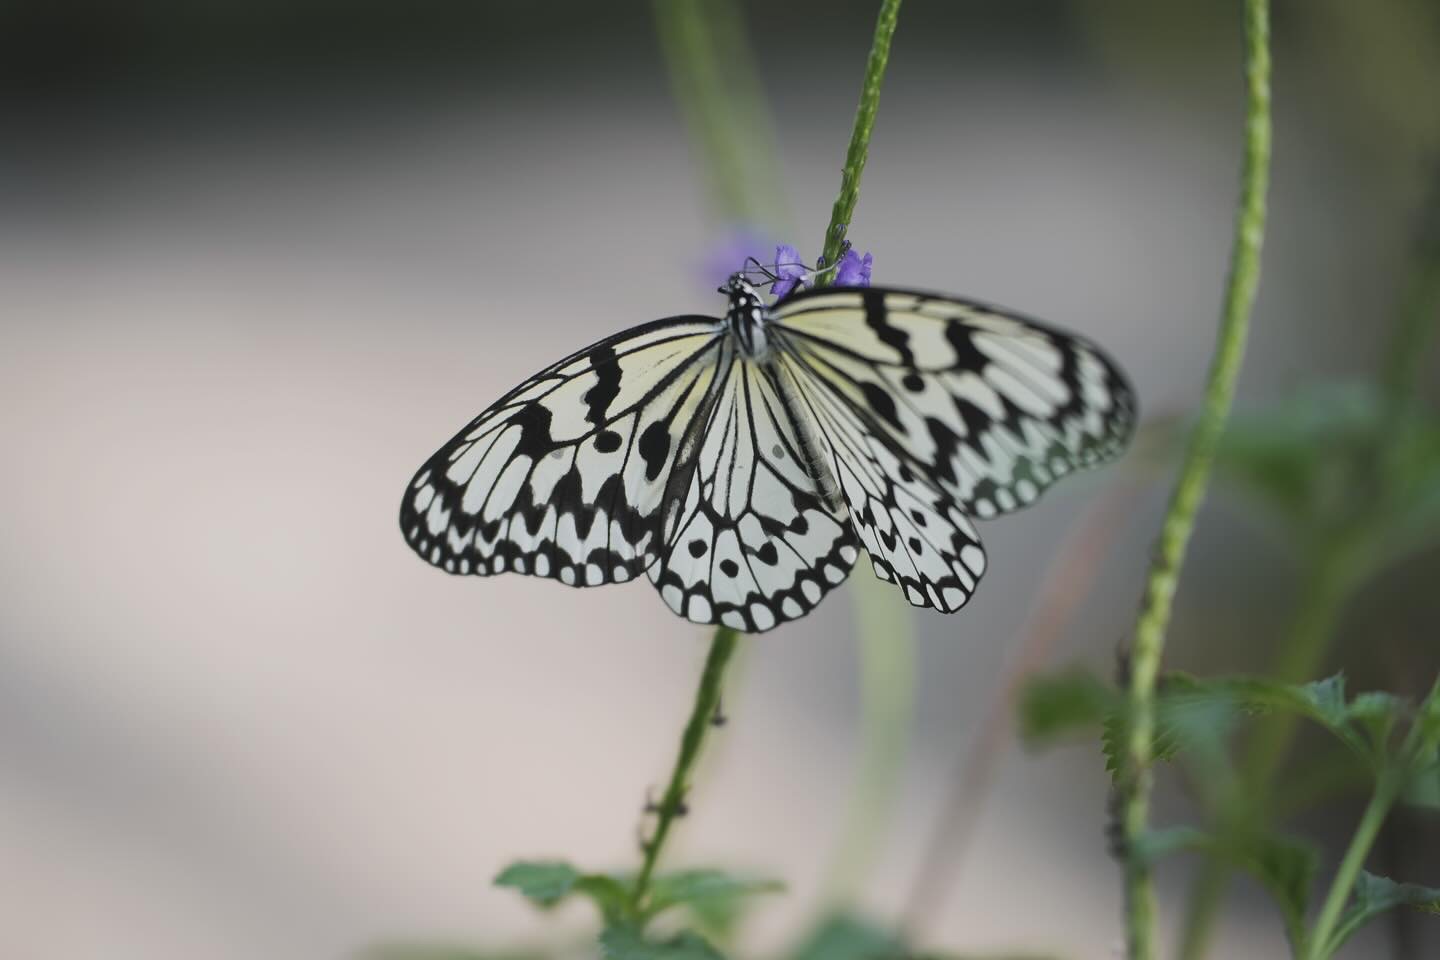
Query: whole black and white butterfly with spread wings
[[741, 464]]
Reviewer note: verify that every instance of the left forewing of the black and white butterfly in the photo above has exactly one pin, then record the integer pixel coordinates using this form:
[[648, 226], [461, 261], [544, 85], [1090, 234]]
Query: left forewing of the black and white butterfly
[[570, 476]]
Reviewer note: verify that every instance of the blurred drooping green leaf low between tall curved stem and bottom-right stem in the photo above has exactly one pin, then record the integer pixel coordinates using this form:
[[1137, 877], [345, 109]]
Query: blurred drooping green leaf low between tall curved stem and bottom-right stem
[[1284, 866]]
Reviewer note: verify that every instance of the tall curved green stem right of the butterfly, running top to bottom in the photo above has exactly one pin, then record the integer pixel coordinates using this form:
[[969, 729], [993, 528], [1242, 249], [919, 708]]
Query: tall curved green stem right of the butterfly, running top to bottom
[[1190, 487]]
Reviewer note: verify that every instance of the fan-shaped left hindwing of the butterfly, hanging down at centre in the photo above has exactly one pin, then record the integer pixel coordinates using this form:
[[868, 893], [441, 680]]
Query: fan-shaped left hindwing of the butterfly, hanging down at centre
[[762, 536]]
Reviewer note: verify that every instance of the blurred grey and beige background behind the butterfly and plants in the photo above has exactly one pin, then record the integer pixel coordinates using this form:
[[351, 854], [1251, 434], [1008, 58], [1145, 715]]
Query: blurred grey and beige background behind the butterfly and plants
[[260, 260]]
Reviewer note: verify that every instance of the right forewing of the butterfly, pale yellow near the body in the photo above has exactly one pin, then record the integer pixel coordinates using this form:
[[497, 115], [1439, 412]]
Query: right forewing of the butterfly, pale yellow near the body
[[991, 407]]
